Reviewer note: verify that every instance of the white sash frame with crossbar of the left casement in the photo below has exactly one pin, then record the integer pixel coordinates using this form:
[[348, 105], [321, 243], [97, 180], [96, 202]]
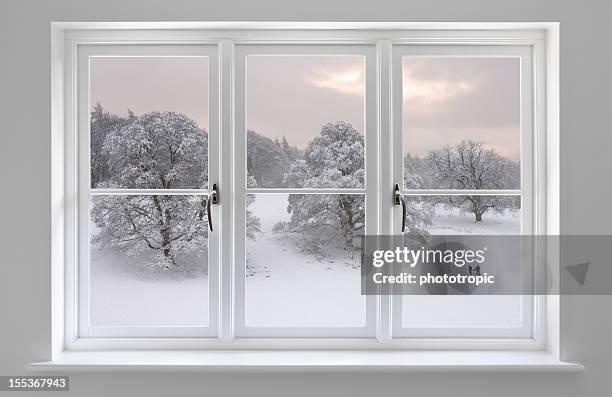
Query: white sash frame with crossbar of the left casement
[[84, 54]]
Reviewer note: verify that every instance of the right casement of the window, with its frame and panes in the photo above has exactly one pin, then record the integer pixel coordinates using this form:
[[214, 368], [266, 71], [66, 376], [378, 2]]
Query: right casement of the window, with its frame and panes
[[465, 129]]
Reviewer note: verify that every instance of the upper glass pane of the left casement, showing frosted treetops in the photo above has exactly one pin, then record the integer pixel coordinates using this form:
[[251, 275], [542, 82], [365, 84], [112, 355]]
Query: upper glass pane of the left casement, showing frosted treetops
[[149, 122]]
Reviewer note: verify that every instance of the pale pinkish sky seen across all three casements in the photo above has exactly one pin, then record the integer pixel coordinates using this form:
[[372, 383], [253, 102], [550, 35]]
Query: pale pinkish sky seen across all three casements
[[445, 101]]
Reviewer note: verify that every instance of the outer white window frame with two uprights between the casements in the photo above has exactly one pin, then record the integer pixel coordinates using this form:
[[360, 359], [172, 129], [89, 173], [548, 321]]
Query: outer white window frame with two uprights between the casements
[[66, 37]]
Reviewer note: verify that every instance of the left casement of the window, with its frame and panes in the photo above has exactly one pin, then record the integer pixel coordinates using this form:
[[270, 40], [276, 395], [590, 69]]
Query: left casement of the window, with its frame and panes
[[146, 259]]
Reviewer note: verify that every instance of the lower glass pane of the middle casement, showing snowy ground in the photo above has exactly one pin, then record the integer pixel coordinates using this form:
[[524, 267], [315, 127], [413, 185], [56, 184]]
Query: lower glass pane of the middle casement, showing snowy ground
[[303, 260]]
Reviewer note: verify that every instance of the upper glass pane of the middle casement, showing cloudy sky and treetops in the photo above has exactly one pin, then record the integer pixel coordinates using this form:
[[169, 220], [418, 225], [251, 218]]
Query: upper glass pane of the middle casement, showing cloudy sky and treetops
[[305, 121]]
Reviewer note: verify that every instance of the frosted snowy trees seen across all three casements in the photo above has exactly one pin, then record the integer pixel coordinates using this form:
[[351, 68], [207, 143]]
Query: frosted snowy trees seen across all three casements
[[167, 150]]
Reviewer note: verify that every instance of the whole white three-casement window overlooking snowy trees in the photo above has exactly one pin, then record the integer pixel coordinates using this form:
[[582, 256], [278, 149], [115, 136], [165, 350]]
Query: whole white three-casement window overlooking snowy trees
[[218, 182]]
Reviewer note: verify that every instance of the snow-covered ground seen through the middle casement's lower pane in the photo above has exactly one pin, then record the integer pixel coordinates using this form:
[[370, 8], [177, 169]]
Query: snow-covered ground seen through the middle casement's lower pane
[[290, 288]]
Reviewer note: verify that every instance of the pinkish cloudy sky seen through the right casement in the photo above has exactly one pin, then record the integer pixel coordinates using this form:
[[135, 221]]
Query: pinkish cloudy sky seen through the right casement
[[447, 100]]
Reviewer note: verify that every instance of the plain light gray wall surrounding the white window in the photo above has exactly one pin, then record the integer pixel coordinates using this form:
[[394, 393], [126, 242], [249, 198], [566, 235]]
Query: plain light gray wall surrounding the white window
[[25, 158]]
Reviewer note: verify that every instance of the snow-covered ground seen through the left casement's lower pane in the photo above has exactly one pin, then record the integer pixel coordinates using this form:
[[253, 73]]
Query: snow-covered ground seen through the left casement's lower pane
[[123, 293]]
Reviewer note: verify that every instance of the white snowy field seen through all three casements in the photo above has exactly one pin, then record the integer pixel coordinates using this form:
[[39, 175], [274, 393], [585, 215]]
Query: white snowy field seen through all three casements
[[285, 287]]
